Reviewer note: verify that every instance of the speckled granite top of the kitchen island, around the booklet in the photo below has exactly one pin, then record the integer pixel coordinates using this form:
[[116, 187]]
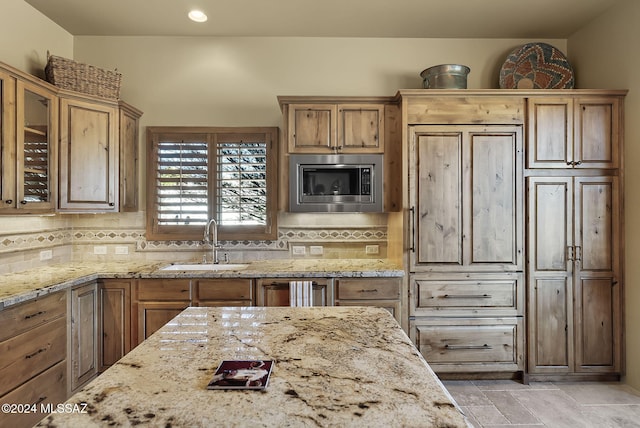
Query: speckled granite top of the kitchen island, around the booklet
[[333, 366]]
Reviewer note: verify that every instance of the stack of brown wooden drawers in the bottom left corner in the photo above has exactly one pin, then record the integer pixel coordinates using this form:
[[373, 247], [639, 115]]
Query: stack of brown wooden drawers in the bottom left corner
[[33, 356]]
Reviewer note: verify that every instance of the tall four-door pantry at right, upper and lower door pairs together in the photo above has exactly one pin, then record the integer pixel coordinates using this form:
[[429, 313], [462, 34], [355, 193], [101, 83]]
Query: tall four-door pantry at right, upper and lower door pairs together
[[574, 187]]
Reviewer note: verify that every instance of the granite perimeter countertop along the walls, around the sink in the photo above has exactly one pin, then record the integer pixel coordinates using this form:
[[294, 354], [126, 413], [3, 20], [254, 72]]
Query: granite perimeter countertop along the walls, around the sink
[[22, 286]]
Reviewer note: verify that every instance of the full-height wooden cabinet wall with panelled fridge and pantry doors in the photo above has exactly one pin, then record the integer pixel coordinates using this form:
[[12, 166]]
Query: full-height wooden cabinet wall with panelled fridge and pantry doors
[[513, 231]]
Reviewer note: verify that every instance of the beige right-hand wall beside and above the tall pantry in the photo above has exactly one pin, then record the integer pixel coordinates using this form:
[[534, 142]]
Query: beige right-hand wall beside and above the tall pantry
[[605, 54]]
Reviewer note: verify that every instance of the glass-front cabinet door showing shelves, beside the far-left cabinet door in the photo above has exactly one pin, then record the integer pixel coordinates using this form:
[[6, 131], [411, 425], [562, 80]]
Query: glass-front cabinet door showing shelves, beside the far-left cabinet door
[[36, 114]]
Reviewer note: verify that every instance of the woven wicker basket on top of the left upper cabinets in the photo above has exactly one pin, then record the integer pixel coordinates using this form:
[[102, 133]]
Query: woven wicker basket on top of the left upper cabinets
[[68, 74]]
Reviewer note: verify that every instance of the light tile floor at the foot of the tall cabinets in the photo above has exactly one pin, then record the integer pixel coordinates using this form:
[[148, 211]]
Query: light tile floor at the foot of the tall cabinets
[[547, 404]]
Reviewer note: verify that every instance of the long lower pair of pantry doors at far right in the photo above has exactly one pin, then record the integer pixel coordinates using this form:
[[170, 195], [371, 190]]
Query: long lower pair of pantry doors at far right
[[574, 275]]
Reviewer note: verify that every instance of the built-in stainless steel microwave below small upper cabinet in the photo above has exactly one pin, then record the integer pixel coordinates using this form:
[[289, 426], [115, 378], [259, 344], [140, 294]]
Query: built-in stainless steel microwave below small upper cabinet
[[335, 183]]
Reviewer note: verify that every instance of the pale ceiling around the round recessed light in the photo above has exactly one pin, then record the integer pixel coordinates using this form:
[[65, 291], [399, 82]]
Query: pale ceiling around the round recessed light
[[528, 19]]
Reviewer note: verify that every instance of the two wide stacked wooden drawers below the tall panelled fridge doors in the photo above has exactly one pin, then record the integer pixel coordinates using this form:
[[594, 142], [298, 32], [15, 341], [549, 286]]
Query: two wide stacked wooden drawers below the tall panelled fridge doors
[[465, 323]]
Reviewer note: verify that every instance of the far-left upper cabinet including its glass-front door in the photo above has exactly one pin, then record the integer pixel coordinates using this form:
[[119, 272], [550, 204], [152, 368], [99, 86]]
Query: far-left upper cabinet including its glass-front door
[[28, 156]]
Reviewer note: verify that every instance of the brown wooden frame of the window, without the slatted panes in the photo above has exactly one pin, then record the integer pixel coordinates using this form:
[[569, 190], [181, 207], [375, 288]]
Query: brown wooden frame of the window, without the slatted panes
[[225, 232]]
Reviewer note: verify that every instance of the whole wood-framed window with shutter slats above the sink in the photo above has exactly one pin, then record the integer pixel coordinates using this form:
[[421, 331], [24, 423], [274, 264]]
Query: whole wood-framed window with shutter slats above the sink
[[195, 174]]
